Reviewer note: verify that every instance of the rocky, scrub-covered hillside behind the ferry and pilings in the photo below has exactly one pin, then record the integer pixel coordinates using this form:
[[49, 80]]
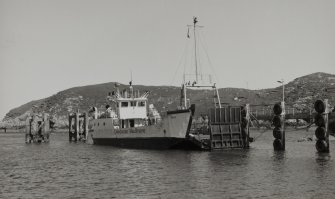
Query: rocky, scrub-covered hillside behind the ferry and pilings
[[300, 94]]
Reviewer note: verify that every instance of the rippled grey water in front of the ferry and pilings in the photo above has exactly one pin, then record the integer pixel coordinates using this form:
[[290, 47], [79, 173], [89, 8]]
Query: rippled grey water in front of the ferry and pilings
[[60, 169]]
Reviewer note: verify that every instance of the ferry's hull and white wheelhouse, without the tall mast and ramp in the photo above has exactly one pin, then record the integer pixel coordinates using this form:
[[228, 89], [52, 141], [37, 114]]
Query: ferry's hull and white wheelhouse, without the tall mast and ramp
[[133, 124]]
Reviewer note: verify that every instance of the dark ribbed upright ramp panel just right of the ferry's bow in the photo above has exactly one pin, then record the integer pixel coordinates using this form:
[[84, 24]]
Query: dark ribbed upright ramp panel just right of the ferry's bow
[[225, 128]]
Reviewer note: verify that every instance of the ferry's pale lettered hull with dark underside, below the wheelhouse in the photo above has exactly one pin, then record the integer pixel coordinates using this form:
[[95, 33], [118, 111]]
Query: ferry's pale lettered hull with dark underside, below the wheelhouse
[[171, 133]]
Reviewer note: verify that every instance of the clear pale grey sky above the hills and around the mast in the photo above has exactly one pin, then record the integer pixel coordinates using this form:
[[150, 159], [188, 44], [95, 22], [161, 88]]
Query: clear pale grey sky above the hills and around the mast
[[47, 46]]
